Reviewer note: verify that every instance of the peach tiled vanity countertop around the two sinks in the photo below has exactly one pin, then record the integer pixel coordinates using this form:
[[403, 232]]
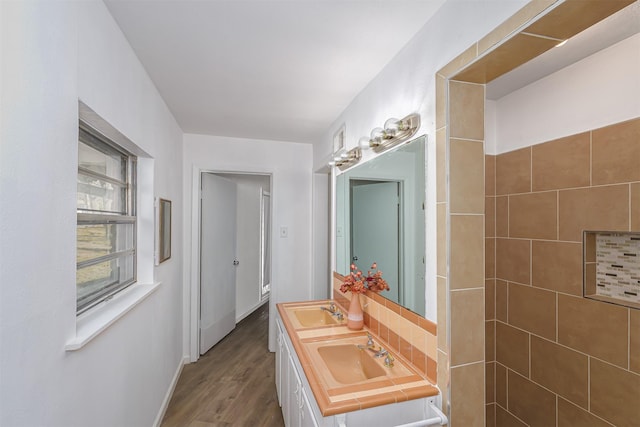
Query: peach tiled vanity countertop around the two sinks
[[400, 383]]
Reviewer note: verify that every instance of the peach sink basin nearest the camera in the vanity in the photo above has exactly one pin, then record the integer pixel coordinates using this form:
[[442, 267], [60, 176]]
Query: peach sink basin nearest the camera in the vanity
[[350, 364]]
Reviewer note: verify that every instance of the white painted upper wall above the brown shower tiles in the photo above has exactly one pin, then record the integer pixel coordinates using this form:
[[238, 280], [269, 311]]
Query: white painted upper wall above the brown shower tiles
[[597, 91]]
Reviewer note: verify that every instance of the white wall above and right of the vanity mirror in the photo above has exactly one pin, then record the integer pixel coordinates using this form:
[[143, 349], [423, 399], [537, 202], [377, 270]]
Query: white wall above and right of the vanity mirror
[[407, 85]]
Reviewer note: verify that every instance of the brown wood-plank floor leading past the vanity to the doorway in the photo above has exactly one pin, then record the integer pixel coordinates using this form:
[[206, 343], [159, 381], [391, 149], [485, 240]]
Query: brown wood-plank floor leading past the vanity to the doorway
[[232, 384]]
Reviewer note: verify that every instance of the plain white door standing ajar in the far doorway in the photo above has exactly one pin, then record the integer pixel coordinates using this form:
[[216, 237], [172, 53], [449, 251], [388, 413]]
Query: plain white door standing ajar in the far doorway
[[217, 260]]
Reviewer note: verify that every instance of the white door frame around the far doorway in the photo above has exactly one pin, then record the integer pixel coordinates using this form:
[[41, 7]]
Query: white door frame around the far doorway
[[192, 291]]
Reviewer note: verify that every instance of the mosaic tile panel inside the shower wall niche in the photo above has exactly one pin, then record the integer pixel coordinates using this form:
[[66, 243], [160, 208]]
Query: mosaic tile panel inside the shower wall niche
[[618, 266]]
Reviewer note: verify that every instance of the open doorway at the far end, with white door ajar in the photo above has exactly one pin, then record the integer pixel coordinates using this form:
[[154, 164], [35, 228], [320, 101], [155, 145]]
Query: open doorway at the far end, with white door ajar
[[234, 253]]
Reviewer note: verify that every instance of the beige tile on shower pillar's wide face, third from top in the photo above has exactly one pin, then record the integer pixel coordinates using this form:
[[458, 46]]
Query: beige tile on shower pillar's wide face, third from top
[[466, 251]]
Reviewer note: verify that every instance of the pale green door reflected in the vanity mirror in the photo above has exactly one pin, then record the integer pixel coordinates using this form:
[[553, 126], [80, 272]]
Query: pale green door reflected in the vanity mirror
[[376, 230]]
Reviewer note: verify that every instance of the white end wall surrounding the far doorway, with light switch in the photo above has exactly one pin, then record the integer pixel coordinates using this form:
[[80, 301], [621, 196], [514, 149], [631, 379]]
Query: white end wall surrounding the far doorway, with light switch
[[289, 164]]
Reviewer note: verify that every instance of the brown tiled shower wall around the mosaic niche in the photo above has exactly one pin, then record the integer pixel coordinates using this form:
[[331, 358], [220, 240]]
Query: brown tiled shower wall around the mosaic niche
[[560, 359]]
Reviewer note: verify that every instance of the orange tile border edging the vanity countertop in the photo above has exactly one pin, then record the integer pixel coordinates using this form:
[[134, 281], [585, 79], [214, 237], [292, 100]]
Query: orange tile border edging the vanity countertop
[[326, 406]]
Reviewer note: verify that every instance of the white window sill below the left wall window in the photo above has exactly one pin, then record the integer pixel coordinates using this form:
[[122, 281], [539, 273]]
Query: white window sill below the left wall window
[[91, 324]]
